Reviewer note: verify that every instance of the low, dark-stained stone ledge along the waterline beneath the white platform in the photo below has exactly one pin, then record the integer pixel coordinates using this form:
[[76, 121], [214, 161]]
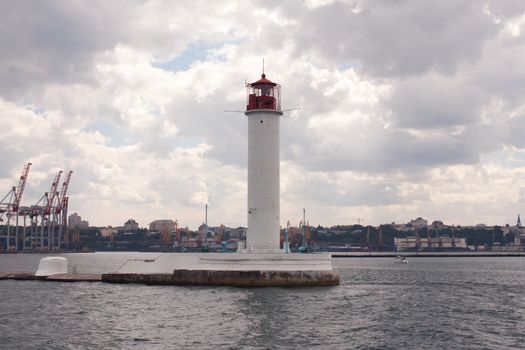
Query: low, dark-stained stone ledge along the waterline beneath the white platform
[[199, 277]]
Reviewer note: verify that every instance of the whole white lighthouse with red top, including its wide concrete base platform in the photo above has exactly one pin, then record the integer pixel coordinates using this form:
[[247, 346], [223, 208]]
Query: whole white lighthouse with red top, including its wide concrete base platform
[[259, 261]]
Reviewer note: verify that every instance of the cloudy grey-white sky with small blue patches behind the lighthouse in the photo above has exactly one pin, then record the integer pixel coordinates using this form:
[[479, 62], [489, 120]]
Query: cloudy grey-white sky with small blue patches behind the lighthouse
[[407, 108]]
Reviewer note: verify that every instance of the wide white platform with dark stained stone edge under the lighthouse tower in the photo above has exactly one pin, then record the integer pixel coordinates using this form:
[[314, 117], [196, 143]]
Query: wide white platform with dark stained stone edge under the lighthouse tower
[[229, 269]]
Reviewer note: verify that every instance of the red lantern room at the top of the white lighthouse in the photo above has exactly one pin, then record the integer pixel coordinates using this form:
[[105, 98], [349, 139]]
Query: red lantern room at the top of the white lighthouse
[[263, 94]]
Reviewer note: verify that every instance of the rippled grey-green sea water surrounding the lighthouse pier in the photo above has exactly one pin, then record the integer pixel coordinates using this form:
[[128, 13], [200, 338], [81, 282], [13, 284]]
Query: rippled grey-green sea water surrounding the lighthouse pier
[[429, 303]]
